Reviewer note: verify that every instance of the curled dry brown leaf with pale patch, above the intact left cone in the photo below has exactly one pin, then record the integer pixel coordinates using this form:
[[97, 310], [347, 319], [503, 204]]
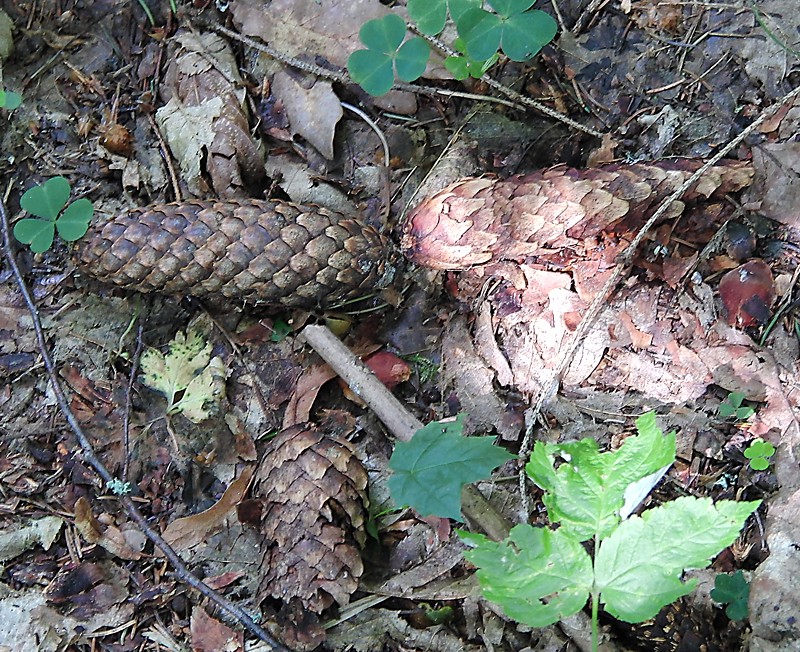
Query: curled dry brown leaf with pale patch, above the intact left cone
[[205, 118]]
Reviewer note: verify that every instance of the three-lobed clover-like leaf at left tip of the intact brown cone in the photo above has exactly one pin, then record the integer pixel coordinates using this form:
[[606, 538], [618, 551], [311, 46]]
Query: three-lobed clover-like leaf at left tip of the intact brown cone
[[46, 202]]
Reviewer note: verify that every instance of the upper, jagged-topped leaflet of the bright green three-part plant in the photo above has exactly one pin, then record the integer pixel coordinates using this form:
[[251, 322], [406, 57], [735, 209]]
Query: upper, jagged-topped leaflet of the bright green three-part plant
[[586, 492]]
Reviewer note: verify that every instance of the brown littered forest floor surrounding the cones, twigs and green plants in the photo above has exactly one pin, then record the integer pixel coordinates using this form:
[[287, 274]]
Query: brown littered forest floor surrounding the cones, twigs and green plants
[[659, 79]]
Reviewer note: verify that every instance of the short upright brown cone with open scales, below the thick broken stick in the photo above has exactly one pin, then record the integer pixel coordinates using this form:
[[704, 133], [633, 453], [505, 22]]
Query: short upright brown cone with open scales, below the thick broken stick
[[313, 493]]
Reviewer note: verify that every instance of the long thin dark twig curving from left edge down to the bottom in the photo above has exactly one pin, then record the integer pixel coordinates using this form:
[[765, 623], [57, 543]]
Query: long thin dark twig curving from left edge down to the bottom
[[179, 568]]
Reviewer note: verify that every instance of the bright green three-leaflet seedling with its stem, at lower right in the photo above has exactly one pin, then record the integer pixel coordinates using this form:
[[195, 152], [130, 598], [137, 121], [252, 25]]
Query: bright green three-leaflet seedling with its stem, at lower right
[[540, 575]]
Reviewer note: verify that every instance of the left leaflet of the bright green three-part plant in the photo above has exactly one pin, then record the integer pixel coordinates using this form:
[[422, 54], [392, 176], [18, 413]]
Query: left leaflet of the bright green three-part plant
[[537, 575]]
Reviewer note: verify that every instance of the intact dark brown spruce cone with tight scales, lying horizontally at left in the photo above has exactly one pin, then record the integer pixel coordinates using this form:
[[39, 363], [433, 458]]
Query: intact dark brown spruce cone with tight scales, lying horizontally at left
[[253, 251]]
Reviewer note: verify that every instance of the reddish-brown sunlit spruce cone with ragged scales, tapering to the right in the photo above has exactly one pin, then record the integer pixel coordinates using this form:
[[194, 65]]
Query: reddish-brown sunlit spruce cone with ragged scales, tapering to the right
[[554, 216]]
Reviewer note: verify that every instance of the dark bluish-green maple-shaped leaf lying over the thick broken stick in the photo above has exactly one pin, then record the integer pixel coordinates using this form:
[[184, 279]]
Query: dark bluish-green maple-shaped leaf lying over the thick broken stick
[[430, 470]]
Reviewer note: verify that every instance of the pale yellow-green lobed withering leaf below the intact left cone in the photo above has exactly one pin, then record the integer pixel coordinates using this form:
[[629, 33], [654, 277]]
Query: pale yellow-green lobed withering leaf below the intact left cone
[[192, 381]]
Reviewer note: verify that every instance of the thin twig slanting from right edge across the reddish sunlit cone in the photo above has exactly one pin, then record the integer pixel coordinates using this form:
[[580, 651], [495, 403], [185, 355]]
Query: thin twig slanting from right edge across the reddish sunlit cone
[[550, 386]]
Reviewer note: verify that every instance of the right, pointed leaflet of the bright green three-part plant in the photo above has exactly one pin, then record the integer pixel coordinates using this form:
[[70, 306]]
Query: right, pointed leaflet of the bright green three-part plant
[[638, 567]]
